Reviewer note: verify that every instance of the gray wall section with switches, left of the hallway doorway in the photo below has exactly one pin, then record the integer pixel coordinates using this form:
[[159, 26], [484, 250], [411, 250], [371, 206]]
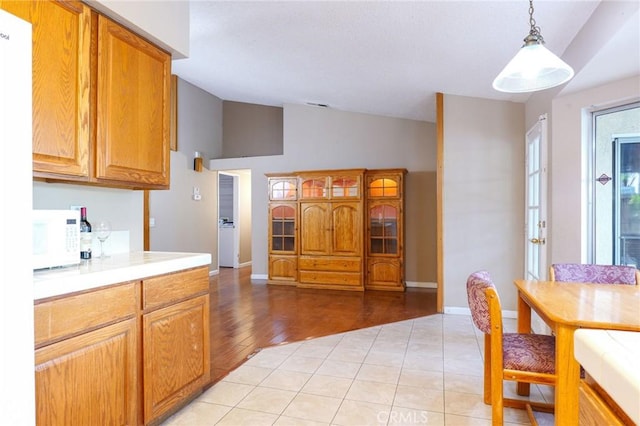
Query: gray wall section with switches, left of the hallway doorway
[[182, 223]]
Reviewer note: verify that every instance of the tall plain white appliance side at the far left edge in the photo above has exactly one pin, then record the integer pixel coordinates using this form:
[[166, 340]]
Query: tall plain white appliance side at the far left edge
[[17, 405]]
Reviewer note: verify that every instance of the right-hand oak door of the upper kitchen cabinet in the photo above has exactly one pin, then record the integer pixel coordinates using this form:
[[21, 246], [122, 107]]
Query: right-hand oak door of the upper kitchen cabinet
[[133, 107]]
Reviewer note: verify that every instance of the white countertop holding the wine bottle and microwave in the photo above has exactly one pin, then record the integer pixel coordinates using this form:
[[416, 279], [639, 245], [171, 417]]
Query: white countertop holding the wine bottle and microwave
[[114, 269]]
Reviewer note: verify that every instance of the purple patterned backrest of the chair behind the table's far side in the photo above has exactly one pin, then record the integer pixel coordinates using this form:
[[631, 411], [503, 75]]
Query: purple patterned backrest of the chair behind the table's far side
[[597, 274]]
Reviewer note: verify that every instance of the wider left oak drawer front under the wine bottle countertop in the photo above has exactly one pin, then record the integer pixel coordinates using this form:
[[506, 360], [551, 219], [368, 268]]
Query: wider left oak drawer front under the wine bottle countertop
[[71, 315]]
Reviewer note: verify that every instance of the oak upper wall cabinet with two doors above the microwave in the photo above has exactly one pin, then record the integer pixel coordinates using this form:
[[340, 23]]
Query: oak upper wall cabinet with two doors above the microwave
[[101, 98]]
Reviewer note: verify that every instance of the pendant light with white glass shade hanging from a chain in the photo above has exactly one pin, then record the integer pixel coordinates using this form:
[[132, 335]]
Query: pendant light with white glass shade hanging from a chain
[[534, 67]]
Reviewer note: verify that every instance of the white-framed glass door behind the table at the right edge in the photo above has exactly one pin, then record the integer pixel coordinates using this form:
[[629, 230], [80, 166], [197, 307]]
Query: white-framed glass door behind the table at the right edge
[[615, 214]]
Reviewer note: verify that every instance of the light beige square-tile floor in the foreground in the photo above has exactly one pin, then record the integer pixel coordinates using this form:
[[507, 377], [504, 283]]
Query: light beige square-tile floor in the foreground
[[425, 371]]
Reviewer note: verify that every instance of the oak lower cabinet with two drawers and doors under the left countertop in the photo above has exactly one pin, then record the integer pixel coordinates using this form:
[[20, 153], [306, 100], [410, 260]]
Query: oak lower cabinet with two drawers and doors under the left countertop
[[126, 354]]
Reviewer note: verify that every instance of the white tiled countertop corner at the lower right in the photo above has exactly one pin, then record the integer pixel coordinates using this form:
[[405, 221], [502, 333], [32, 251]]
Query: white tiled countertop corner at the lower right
[[611, 358]]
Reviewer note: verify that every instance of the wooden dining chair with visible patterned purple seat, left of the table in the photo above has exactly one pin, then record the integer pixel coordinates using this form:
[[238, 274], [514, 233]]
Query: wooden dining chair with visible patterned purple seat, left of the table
[[521, 357]]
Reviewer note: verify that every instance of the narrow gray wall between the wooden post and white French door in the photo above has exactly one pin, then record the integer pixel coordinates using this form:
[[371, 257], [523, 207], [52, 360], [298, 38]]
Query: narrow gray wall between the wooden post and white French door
[[484, 153]]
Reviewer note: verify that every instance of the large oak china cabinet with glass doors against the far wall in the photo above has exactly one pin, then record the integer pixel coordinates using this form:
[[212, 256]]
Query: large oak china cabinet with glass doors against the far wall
[[325, 226]]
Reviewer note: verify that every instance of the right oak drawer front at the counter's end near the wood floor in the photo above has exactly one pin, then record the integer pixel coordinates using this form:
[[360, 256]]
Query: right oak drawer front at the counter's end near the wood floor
[[164, 289]]
